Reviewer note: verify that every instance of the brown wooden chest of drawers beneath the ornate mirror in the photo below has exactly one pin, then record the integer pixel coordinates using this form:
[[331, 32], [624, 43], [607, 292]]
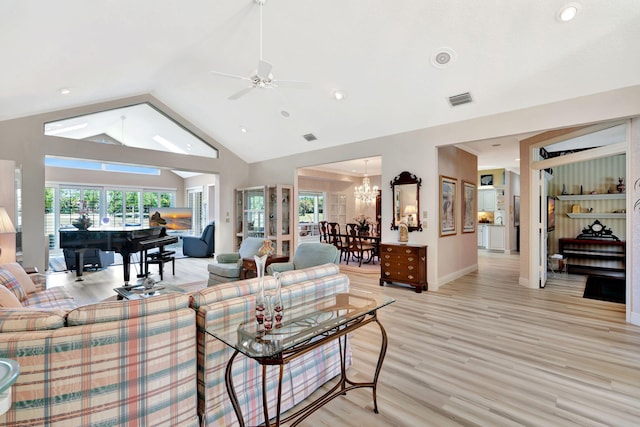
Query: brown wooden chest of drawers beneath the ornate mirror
[[404, 264]]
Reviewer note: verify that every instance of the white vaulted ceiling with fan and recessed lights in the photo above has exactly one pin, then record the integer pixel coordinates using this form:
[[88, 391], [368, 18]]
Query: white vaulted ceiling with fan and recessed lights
[[507, 54]]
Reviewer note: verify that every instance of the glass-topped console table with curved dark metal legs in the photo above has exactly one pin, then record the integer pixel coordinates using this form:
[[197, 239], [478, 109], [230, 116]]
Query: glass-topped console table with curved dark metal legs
[[304, 328]]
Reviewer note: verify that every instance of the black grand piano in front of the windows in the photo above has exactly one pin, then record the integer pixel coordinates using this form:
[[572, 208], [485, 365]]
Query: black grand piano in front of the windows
[[125, 241]]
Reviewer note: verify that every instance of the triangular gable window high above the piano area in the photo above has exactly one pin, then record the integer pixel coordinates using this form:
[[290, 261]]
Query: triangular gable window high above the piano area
[[140, 126]]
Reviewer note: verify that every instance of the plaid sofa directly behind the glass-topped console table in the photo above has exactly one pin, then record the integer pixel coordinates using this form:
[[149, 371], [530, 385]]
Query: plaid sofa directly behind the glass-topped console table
[[302, 376]]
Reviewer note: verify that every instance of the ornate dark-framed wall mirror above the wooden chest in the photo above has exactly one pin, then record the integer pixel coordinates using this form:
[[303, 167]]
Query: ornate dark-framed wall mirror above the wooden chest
[[406, 201]]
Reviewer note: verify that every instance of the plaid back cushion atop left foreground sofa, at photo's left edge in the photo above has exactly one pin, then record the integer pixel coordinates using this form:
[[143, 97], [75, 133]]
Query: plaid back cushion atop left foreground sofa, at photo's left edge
[[30, 319]]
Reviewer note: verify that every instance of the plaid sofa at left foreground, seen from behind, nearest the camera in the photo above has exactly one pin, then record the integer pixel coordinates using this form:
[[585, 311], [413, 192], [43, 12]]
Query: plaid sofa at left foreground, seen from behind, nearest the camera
[[119, 363]]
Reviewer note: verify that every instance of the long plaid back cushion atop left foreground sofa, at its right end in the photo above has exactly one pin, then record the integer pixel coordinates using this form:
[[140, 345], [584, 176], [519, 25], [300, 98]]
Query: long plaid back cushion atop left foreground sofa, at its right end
[[109, 311]]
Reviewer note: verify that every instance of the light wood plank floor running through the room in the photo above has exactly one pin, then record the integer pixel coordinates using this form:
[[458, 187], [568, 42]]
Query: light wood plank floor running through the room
[[482, 351]]
